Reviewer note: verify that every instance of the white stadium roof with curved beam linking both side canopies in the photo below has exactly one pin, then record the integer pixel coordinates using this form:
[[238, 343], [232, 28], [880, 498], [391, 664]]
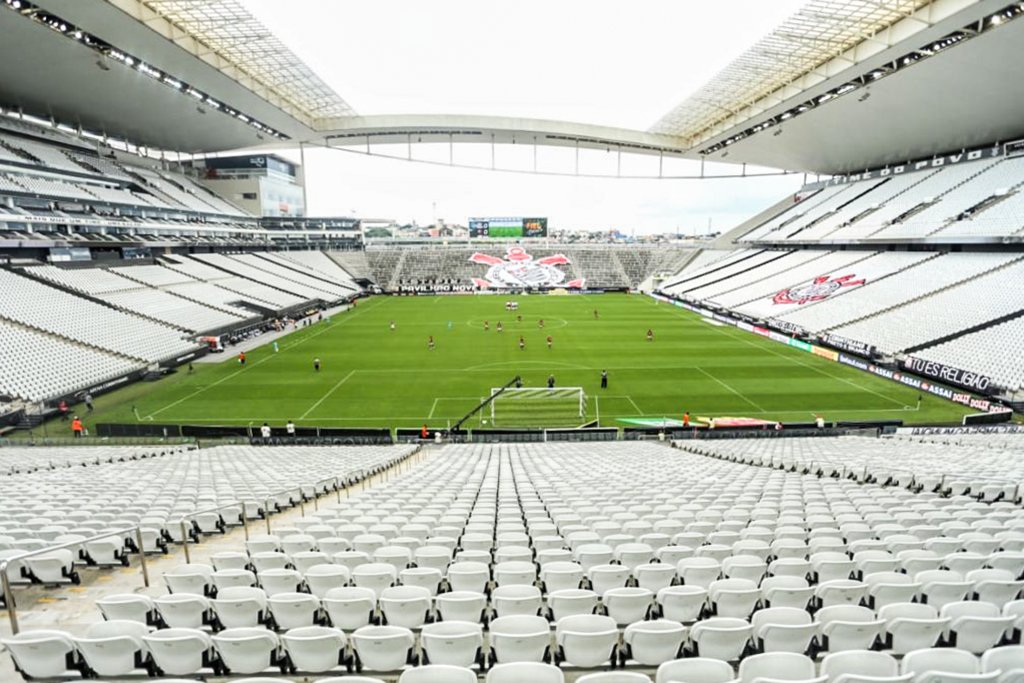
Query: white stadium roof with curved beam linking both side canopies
[[205, 76]]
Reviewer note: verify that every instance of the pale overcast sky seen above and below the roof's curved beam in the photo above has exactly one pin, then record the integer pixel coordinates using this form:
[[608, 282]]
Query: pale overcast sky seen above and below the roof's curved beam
[[594, 62]]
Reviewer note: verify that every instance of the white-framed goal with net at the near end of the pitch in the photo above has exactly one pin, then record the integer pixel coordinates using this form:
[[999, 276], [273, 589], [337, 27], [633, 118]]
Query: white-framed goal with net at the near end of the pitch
[[561, 407]]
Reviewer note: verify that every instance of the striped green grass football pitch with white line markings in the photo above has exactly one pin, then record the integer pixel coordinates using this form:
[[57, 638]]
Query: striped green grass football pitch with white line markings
[[375, 377]]
